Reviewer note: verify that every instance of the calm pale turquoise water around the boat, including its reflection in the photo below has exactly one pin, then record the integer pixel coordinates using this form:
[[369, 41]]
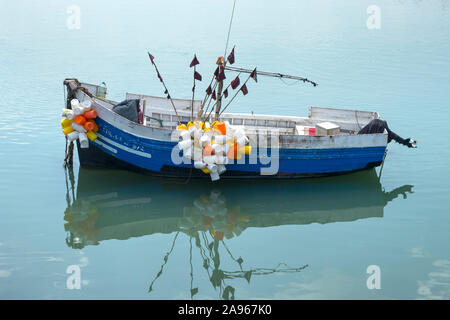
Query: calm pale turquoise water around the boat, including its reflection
[[284, 240]]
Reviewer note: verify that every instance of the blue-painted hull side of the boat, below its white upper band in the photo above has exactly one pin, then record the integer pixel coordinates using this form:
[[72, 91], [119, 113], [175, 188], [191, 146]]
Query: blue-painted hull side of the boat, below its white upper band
[[116, 148]]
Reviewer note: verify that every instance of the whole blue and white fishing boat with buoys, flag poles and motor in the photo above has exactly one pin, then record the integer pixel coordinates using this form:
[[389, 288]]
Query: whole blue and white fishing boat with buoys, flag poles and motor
[[148, 137]]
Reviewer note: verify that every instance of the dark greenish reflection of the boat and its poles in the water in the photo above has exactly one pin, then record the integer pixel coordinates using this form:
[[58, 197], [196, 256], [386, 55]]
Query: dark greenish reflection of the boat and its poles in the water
[[118, 205]]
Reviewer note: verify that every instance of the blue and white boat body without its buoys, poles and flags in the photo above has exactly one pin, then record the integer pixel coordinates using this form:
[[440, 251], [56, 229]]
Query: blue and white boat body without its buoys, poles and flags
[[148, 147]]
